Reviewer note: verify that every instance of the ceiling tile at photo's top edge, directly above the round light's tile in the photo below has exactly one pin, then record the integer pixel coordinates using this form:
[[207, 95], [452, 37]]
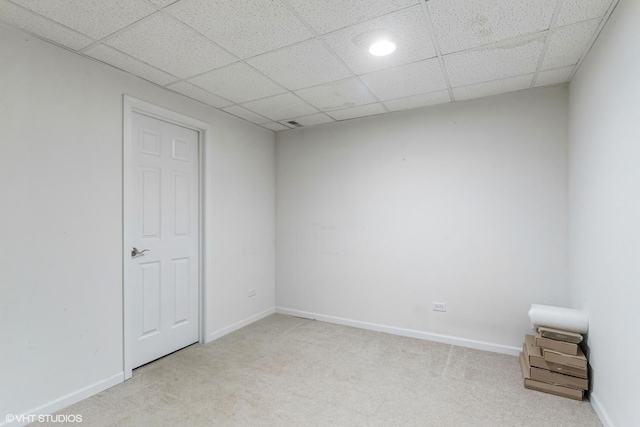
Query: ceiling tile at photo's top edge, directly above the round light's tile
[[330, 15]]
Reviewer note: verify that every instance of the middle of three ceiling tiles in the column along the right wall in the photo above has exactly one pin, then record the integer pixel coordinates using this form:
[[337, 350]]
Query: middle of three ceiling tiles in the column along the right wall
[[567, 44]]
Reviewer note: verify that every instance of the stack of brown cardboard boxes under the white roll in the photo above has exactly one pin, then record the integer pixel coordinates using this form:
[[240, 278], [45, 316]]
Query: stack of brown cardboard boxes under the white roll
[[553, 362]]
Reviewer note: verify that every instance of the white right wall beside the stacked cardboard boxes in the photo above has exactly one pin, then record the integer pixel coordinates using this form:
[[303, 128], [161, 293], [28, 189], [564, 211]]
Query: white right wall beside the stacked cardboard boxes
[[605, 211]]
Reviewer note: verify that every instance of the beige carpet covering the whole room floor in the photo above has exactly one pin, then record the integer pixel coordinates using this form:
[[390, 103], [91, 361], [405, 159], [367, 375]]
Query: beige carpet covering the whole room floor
[[286, 371]]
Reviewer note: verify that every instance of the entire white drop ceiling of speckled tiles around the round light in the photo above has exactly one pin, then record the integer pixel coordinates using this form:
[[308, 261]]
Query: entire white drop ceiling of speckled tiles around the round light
[[268, 61]]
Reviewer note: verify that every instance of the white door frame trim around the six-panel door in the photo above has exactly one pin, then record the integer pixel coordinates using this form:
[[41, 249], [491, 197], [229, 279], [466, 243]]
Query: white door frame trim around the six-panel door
[[133, 105]]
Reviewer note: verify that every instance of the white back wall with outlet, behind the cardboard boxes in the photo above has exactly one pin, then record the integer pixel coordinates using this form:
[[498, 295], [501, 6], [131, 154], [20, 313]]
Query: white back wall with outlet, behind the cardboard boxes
[[464, 203]]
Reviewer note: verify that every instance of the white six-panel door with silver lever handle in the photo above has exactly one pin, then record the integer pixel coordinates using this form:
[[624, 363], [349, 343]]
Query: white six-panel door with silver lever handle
[[163, 222]]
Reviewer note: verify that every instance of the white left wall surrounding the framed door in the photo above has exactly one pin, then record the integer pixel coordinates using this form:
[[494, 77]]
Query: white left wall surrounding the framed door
[[61, 219]]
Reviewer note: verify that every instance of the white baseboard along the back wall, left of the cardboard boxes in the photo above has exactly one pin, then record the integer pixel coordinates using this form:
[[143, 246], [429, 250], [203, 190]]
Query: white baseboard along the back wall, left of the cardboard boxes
[[411, 333]]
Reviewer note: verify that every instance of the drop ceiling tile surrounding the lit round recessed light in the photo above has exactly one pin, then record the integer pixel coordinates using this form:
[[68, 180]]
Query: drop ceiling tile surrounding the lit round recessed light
[[407, 28]]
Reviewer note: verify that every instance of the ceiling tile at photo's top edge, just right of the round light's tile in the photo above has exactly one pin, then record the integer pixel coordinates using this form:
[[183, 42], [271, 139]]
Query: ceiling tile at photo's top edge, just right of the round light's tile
[[465, 24]]
